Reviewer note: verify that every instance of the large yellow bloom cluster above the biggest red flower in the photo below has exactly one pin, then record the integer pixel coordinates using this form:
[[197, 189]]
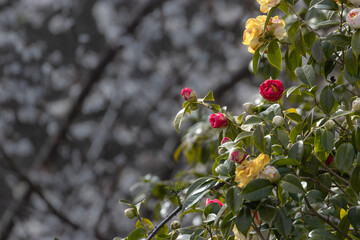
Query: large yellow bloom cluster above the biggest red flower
[[254, 33]]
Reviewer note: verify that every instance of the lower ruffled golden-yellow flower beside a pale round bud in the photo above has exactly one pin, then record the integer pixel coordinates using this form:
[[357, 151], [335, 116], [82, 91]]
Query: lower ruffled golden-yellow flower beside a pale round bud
[[250, 170]]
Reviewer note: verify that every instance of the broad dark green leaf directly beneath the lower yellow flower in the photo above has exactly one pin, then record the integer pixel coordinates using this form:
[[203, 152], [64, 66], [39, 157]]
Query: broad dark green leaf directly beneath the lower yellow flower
[[257, 190]]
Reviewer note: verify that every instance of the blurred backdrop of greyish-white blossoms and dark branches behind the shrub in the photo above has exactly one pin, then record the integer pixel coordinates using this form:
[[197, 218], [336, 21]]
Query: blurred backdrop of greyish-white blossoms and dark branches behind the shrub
[[89, 90]]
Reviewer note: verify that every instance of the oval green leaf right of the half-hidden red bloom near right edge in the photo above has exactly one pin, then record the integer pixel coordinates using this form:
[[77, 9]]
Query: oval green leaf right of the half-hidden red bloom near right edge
[[344, 157]]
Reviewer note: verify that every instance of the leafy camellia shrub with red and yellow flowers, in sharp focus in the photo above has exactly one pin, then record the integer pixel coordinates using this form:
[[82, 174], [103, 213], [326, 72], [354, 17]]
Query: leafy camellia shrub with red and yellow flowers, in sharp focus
[[287, 167]]
